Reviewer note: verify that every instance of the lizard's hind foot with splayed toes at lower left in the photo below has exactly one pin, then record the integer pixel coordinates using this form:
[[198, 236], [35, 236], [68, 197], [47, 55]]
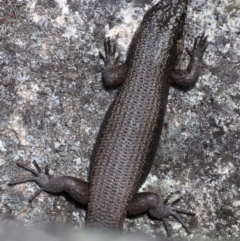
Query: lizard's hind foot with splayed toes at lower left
[[38, 177]]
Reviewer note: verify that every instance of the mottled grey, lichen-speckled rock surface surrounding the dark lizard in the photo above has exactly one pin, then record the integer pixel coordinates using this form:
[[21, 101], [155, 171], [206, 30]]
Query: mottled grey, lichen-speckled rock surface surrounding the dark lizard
[[52, 103]]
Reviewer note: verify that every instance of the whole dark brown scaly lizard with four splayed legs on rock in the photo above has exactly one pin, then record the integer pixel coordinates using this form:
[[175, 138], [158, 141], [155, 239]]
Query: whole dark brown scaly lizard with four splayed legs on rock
[[129, 136]]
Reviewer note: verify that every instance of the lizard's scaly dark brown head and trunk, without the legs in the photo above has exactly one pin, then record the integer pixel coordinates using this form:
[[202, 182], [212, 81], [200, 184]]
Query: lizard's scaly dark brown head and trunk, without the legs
[[129, 135]]
